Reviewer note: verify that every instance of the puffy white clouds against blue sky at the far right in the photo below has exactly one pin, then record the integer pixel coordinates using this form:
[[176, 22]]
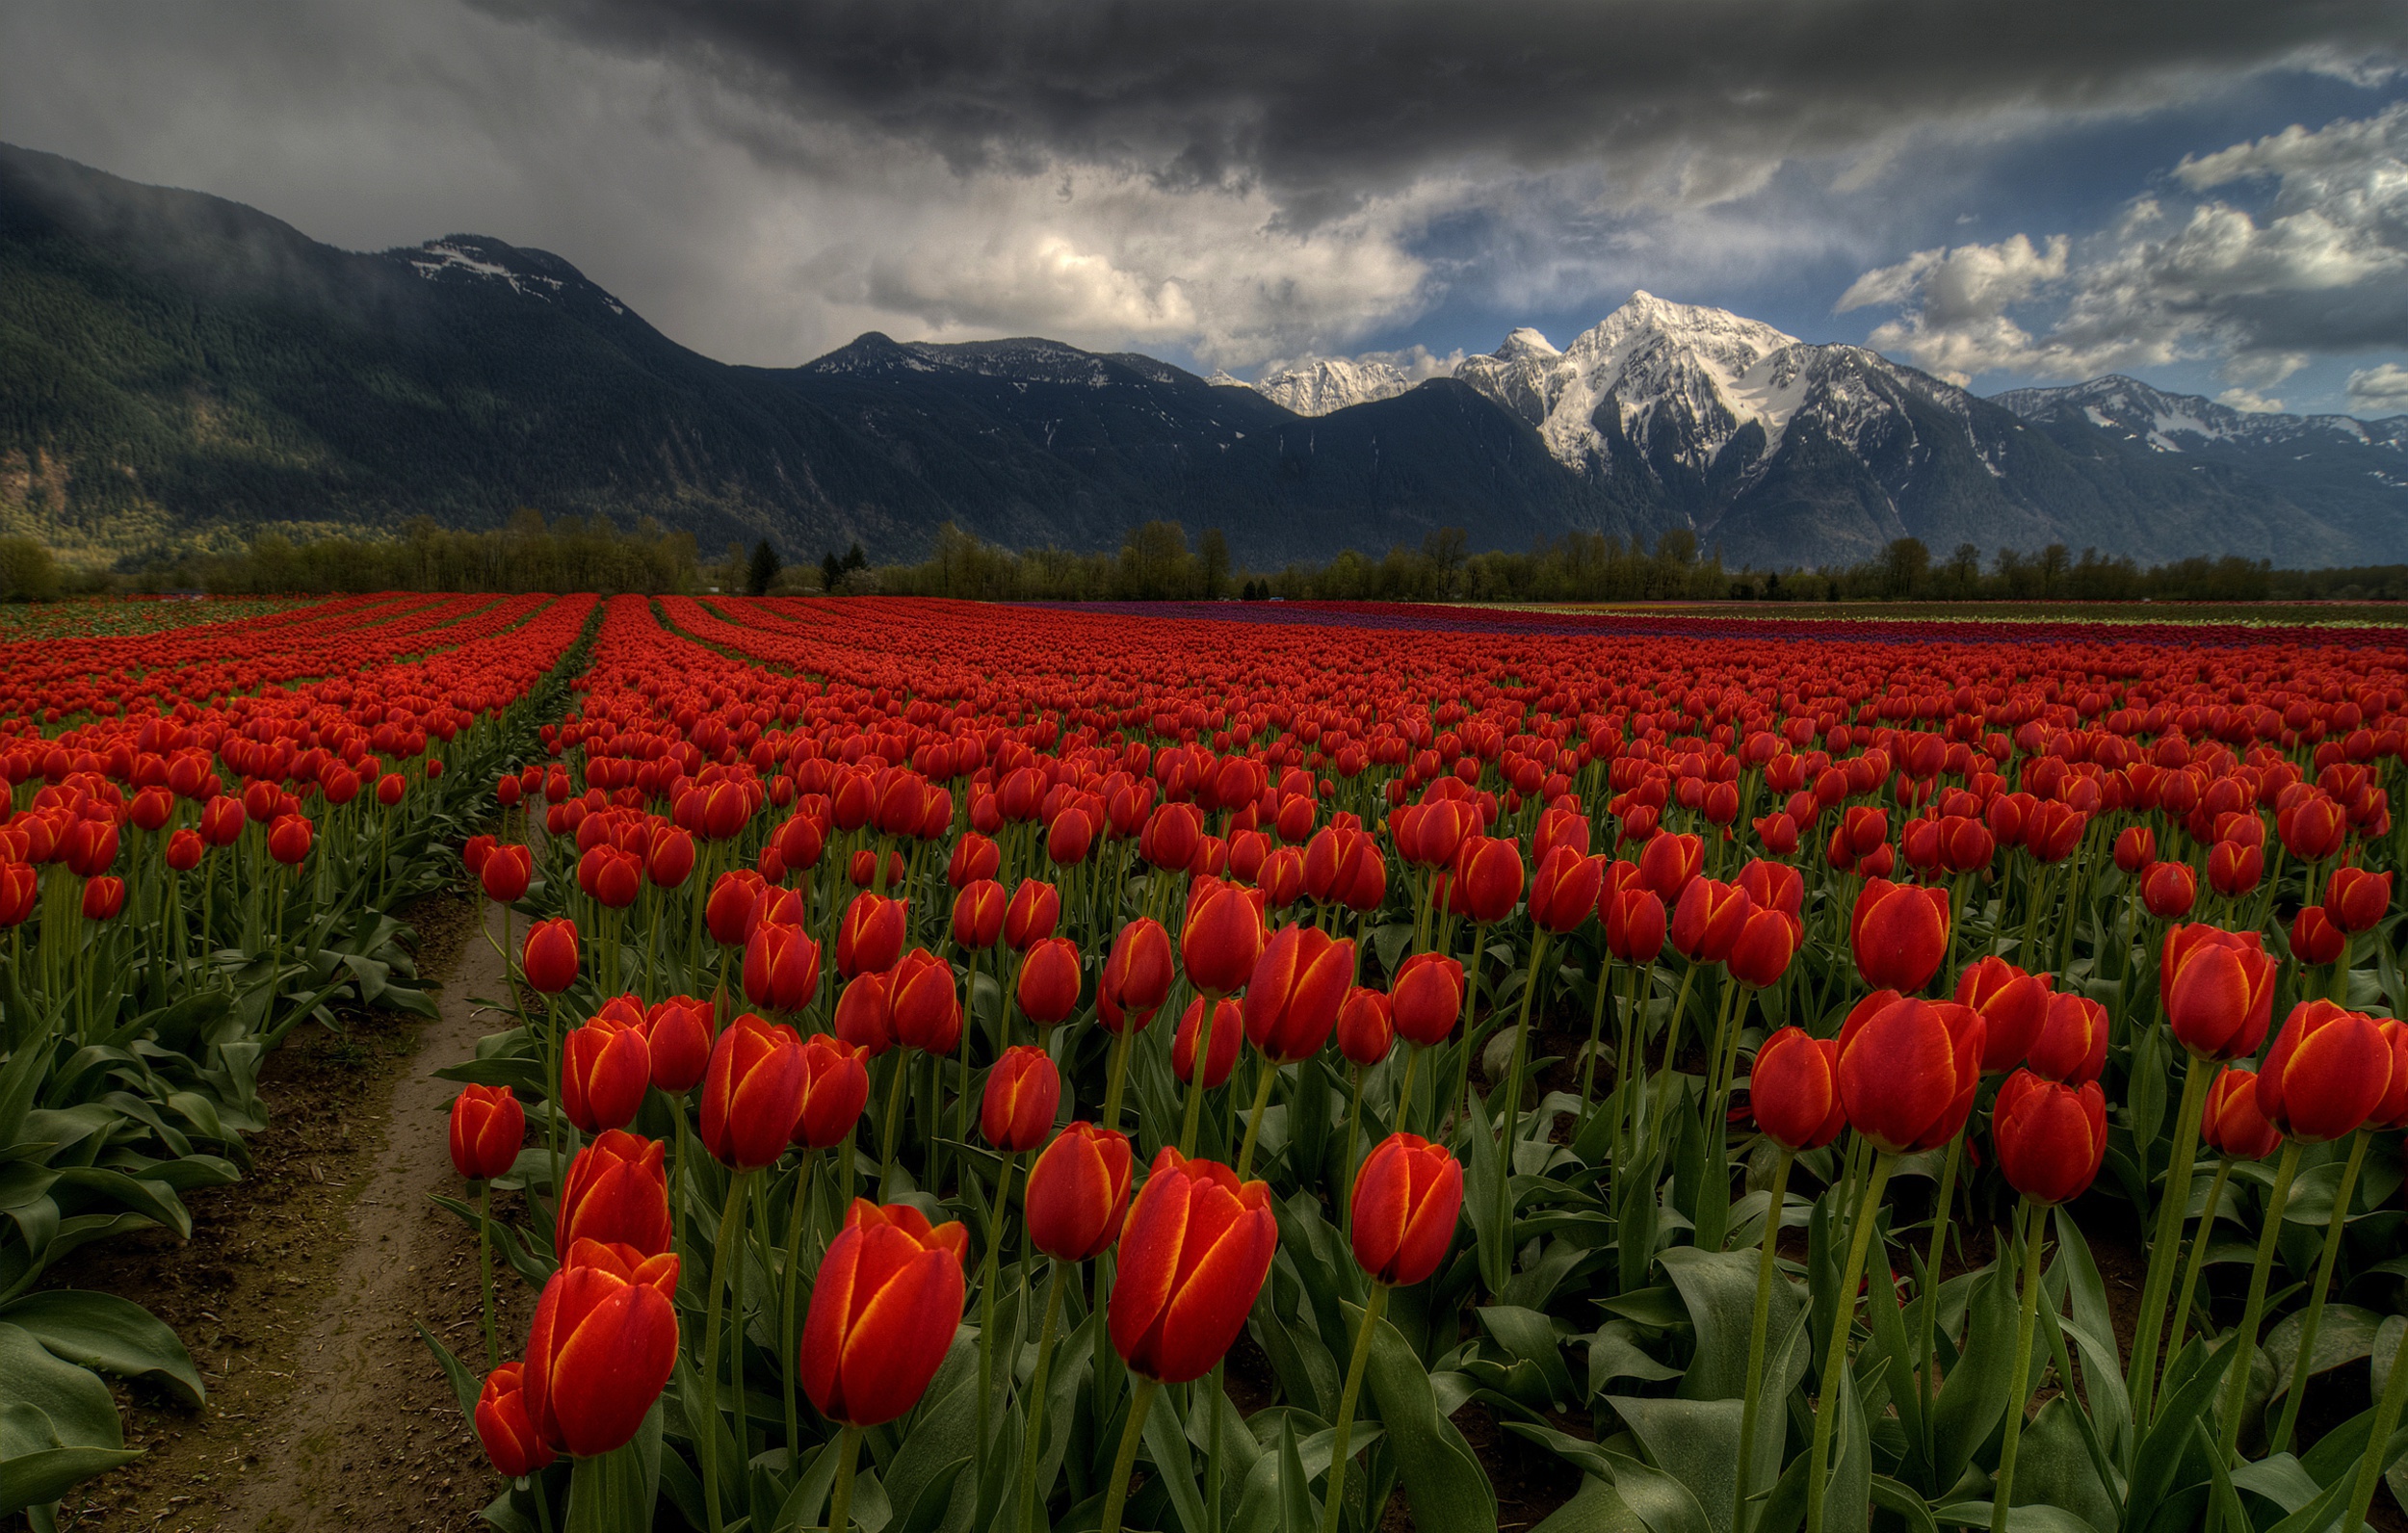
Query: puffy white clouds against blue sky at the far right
[[2320, 268]]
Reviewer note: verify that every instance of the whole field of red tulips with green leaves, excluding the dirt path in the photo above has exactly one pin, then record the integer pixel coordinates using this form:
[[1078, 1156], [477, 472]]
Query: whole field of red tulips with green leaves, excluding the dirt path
[[1015, 1070]]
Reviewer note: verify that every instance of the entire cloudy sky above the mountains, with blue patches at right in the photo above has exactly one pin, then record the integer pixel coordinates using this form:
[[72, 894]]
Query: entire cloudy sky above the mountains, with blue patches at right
[[2207, 194]]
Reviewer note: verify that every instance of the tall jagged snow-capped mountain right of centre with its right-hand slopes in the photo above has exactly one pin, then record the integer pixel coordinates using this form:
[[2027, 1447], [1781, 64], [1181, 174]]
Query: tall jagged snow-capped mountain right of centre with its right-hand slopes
[[1783, 451]]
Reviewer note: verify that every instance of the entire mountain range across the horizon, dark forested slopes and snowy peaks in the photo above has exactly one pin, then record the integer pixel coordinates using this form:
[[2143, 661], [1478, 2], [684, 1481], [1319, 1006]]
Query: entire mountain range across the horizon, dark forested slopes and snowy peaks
[[182, 372]]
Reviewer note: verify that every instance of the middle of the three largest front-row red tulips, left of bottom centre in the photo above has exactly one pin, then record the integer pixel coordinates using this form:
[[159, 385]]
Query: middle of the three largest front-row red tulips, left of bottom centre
[[883, 1313]]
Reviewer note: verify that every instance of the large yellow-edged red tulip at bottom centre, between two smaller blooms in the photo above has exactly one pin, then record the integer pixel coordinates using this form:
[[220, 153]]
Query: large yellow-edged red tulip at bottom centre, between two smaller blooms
[[1193, 1257]]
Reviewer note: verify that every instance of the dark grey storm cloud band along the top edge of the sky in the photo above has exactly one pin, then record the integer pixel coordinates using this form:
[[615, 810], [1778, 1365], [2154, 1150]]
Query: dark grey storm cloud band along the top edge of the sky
[[1335, 100]]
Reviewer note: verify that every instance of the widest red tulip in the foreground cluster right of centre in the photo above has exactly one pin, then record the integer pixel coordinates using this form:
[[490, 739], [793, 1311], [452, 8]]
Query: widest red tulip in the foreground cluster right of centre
[[1908, 1072]]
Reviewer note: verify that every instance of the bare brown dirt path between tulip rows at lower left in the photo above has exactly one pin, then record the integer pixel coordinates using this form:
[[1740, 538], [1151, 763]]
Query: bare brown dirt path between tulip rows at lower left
[[302, 1286]]
